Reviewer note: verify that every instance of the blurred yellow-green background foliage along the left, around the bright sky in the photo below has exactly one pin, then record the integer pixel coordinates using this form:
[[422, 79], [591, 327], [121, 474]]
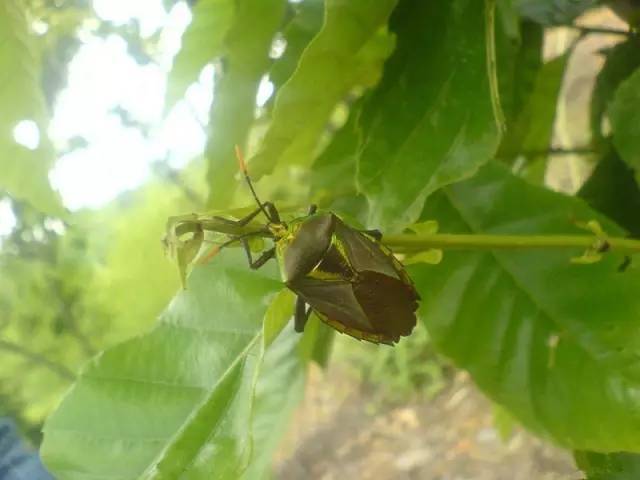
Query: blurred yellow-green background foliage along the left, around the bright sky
[[76, 282]]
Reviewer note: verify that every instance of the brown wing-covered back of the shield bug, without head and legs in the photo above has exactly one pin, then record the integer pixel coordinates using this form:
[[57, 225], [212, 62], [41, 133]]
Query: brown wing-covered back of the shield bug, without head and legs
[[358, 287]]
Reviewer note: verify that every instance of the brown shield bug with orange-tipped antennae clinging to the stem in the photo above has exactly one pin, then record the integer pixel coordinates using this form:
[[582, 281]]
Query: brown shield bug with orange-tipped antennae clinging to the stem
[[346, 276]]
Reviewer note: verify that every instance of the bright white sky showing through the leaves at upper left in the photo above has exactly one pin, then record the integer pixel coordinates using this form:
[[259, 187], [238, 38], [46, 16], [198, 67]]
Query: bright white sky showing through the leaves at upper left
[[103, 76]]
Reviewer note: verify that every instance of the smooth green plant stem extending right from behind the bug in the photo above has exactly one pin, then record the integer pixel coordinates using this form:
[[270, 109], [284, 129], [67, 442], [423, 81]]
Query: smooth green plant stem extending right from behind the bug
[[412, 243]]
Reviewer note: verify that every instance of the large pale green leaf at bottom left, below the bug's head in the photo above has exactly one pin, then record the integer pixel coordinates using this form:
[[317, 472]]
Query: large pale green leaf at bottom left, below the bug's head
[[178, 401]]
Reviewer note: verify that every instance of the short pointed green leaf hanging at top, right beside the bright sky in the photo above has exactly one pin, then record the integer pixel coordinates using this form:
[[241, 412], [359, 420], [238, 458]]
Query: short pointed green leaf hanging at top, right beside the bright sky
[[202, 42]]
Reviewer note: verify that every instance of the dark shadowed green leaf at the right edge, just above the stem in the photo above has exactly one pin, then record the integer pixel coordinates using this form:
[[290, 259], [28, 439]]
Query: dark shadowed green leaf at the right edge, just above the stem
[[612, 189]]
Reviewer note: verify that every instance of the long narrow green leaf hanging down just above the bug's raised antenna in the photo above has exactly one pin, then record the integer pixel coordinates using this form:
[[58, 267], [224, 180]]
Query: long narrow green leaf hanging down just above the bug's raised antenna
[[248, 44]]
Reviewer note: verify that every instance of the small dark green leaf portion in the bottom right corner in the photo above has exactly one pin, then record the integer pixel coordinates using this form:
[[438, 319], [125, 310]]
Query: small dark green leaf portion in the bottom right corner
[[609, 466]]
